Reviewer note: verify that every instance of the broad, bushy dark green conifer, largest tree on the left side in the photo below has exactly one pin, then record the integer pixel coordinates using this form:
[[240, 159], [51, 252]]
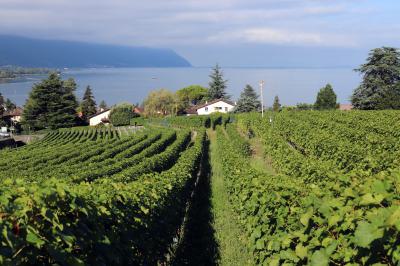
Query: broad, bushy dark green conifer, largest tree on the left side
[[51, 104]]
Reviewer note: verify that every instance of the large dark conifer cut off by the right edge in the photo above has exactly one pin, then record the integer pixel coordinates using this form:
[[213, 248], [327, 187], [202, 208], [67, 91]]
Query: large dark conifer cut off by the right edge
[[380, 86]]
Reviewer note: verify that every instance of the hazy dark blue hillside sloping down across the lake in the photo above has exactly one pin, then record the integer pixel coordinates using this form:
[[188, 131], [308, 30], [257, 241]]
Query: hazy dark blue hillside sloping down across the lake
[[27, 52]]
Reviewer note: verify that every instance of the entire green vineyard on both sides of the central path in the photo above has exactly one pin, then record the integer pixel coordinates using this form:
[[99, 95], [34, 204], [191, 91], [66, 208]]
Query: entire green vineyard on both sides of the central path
[[327, 192]]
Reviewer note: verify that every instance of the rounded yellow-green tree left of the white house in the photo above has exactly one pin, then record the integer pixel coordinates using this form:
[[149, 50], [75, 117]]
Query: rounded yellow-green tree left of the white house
[[160, 102]]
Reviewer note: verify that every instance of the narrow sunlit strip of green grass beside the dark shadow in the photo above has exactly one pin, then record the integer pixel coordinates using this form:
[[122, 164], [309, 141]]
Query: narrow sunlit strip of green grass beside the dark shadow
[[228, 233]]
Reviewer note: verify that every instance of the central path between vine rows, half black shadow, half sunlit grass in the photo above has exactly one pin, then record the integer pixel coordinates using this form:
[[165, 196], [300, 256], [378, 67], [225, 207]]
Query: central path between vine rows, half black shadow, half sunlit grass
[[212, 235]]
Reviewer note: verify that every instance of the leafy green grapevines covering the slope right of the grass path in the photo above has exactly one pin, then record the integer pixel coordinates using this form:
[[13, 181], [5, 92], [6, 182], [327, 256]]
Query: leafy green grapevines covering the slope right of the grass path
[[335, 199]]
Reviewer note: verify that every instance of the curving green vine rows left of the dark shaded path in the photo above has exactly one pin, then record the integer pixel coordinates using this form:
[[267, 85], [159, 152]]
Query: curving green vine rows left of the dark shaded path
[[89, 196]]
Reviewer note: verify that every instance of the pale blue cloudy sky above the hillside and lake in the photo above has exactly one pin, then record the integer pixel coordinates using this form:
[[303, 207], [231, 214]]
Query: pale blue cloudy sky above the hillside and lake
[[236, 33]]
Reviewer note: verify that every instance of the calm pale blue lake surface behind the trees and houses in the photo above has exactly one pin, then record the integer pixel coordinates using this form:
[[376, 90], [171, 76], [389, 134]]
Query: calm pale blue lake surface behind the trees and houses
[[116, 85]]
